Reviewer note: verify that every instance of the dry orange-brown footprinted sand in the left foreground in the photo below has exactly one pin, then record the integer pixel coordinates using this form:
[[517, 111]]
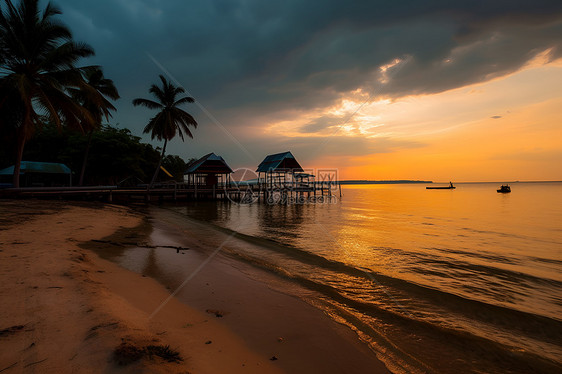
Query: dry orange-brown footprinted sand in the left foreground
[[64, 309]]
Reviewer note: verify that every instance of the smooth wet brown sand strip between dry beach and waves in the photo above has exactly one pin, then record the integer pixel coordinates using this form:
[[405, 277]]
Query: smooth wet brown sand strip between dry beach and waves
[[232, 287]]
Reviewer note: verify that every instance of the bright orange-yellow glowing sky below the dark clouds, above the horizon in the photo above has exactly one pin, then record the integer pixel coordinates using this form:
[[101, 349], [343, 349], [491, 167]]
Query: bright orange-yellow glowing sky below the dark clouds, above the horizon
[[505, 129]]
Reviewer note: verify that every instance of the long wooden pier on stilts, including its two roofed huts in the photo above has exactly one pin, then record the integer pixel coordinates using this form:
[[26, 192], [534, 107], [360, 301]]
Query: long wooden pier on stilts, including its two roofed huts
[[280, 180]]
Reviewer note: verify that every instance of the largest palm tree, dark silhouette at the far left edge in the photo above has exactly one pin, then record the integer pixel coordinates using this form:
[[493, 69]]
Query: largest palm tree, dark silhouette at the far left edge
[[38, 58]]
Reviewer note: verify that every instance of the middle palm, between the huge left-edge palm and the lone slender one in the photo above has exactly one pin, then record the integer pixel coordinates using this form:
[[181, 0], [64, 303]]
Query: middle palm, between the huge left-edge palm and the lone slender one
[[93, 98]]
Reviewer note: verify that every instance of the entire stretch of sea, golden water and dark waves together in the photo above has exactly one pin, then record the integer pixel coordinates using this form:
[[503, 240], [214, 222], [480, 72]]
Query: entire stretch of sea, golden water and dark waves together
[[467, 280]]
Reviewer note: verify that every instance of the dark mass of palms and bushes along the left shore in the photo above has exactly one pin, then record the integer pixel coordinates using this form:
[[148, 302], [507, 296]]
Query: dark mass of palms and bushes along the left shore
[[48, 104]]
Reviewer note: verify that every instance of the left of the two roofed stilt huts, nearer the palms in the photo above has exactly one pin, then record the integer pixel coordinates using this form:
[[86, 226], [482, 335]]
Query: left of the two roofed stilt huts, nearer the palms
[[209, 172]]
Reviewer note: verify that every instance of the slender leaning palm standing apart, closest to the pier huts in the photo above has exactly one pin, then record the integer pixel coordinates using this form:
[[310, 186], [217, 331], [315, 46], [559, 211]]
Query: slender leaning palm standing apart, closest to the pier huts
[[170, 120]]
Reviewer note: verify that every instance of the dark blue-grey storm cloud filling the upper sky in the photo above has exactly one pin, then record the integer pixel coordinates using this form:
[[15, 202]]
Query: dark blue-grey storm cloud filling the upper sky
[[251, 60]]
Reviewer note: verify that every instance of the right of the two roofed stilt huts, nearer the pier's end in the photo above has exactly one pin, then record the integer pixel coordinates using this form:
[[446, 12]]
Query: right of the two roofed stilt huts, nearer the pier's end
[[276, 171]]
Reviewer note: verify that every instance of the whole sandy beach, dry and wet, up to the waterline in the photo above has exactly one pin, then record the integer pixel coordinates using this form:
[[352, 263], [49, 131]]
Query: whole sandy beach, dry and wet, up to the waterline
[[65, 309]]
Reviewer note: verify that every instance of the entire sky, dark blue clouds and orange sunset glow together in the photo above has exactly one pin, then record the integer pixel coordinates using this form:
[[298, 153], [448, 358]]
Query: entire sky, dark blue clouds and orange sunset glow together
[[431, 90]]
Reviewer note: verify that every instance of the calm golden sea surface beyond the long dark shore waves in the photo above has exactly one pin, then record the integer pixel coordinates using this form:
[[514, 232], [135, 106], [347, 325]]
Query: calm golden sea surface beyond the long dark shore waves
[[460, 241]]
